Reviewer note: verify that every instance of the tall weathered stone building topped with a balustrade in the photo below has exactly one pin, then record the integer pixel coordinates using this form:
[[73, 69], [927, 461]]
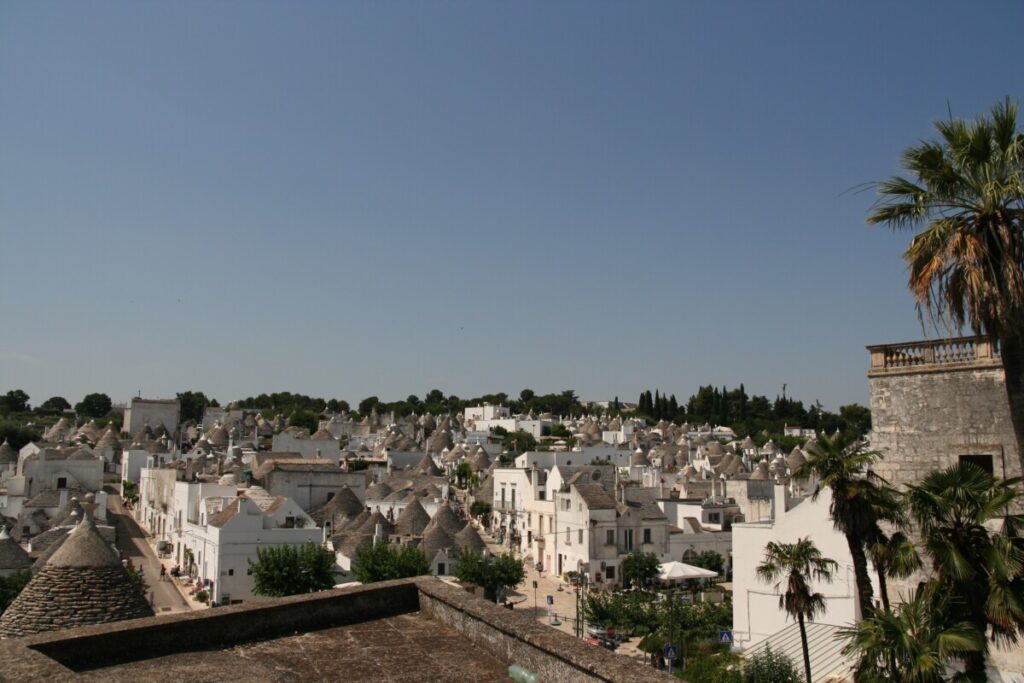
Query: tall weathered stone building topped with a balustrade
[[936, 404]]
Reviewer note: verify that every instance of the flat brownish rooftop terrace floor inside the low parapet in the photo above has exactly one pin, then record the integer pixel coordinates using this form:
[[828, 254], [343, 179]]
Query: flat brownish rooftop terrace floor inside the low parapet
[[408, 648]]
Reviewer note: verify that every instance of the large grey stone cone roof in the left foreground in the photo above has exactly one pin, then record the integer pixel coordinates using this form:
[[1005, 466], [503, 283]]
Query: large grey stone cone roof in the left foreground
[[82, 584]]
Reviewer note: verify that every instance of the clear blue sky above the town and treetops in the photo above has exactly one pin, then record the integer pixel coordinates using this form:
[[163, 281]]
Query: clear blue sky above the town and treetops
[[347, 199]]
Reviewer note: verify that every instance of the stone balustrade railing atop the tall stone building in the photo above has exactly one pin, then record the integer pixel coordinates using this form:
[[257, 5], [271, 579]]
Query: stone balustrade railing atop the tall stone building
[[936, 355]]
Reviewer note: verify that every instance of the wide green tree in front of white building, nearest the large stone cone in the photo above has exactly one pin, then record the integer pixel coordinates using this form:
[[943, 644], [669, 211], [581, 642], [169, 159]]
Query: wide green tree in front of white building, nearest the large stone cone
[[281, 571]]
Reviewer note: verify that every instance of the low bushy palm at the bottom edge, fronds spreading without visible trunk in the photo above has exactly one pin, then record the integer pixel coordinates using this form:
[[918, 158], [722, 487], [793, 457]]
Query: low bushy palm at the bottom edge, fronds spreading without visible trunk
[[912, 645]]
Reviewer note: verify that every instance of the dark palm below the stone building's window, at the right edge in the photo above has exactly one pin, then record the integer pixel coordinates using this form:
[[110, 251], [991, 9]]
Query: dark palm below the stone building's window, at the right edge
[[984, 570]]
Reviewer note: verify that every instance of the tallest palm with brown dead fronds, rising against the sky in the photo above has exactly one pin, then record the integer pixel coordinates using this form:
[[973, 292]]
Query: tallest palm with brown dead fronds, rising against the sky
[[967, 263]]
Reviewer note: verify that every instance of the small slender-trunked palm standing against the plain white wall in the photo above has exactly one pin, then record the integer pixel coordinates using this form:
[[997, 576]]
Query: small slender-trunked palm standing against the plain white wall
[[796, 565]]
